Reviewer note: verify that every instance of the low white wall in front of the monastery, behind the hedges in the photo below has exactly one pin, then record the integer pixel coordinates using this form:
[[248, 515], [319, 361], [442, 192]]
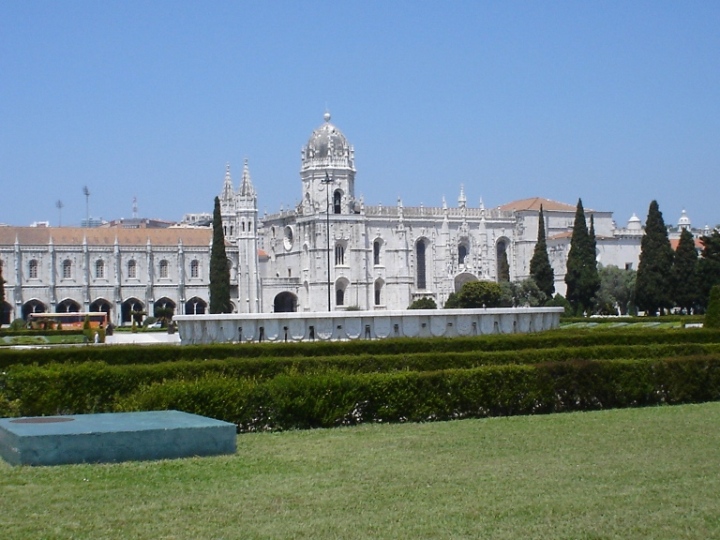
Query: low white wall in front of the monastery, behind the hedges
[[276, 327]]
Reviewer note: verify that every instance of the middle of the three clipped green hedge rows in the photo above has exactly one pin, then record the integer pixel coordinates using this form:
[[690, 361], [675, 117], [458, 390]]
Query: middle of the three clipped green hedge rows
[[96, 386]]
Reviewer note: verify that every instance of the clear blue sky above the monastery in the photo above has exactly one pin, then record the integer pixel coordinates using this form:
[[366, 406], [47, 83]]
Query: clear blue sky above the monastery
[[614, 102]]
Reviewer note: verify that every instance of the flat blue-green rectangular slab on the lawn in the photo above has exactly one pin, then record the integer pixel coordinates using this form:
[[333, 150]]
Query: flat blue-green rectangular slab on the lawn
[[113, 437]]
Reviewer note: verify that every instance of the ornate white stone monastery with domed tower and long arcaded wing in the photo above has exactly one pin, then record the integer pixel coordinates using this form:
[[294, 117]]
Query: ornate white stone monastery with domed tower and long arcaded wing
[[332, 252]]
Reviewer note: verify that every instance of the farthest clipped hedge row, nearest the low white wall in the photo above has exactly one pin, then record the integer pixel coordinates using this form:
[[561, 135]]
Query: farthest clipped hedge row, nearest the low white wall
[[131, 354]]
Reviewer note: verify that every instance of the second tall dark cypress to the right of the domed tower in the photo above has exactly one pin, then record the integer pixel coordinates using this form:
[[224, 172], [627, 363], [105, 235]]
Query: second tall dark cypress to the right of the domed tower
[[581, 277]]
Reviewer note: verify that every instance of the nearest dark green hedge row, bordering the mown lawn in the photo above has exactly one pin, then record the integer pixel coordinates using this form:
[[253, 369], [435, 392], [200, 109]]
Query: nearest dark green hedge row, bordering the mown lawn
[[327, 400]]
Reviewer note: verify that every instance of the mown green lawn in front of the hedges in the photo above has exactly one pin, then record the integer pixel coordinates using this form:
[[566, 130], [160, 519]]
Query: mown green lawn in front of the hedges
[[633, 473]]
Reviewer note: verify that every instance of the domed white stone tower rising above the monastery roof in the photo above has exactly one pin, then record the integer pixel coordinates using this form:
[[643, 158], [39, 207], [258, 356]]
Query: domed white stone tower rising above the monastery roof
[[328, 160]]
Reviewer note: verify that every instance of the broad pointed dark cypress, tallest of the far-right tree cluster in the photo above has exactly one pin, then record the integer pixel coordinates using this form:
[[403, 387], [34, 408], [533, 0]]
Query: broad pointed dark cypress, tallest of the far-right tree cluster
[[653, 286]]
